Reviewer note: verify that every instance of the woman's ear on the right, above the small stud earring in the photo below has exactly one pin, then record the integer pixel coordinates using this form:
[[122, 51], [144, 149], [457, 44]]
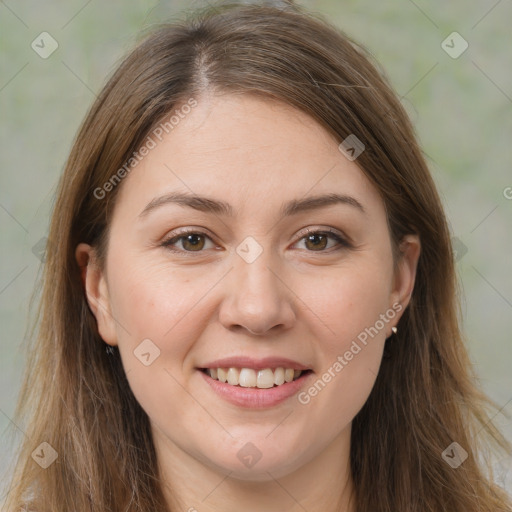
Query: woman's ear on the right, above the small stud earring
[[405, 273]]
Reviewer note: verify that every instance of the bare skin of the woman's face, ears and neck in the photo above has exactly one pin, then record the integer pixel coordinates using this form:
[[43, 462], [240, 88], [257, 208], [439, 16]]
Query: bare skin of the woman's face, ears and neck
[[305, 301]]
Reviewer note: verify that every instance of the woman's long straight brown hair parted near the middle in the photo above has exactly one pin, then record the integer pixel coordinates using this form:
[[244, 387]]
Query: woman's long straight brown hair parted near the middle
[[78, 400]]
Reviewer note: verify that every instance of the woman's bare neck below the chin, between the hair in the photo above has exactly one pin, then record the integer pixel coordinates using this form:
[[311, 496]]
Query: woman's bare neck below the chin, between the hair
[[324, 483]]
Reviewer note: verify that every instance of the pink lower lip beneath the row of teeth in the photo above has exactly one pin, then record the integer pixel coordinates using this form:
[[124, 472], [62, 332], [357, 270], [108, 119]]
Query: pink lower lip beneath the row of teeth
[[256, 397]]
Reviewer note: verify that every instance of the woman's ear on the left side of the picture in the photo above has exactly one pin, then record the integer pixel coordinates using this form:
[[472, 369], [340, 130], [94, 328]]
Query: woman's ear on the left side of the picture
[[96, 290]]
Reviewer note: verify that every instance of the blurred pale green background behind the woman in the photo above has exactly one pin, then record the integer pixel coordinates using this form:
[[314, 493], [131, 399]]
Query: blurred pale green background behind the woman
[[461, 107]]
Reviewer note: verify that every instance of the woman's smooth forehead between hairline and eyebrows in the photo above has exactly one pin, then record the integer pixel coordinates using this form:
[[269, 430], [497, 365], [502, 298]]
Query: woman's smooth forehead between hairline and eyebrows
[[251, 152]]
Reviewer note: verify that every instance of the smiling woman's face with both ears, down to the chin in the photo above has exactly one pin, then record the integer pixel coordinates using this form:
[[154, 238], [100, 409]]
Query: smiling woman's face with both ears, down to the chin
[[278, 273]]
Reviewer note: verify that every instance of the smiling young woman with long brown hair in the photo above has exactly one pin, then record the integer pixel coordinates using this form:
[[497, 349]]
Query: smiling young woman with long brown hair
[[249, 296]]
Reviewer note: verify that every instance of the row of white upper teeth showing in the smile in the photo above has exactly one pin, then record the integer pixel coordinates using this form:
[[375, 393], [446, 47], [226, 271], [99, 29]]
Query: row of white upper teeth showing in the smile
[[249, 378]]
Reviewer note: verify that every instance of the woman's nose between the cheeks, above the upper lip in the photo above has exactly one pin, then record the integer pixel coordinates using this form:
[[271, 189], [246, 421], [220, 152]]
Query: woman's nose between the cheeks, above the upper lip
[[257, 298]]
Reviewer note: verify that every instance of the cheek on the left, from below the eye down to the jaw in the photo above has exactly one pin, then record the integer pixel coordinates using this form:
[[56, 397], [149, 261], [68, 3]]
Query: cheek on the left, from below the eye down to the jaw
[[159, 319]]
